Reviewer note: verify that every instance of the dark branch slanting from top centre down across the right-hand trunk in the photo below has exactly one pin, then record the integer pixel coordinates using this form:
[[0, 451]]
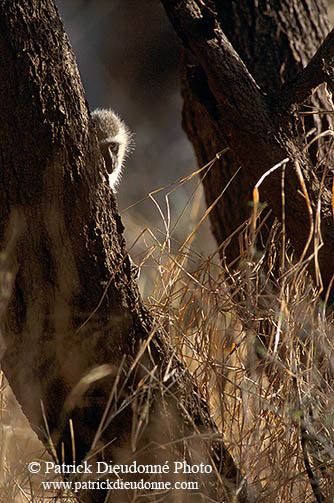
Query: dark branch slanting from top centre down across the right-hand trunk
[[258, 132]]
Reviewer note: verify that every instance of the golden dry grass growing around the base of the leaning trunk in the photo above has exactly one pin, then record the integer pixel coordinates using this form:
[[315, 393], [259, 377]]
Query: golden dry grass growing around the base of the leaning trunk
[[258, 342]]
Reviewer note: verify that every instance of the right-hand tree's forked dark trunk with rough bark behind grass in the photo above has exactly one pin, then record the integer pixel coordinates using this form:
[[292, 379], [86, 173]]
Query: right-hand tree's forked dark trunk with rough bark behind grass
[[237, 55]]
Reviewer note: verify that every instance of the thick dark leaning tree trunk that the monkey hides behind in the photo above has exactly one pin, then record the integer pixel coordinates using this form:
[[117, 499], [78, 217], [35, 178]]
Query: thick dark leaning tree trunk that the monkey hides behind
[[73, 324]]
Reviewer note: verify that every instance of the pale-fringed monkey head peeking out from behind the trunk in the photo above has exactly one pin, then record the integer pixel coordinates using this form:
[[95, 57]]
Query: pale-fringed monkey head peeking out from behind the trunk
[[115, 141]]
